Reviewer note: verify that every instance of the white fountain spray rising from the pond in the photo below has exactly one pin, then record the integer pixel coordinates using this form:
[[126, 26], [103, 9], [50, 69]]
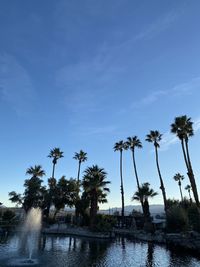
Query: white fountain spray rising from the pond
[[29, 238]]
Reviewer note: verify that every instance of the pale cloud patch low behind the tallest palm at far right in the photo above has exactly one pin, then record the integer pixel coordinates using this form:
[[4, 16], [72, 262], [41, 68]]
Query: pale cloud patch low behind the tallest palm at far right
[[170, 139]]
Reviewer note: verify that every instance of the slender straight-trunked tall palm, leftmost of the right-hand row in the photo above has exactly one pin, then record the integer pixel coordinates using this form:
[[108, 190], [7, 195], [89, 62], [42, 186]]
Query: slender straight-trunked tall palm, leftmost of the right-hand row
[[120, 146]]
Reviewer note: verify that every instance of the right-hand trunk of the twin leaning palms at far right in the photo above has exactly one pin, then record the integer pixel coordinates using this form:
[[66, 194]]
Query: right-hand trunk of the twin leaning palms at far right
[[191, 176]]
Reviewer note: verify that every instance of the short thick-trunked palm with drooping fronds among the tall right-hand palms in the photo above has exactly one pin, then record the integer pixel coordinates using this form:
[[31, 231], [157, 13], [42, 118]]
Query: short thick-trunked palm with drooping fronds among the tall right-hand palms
[[144, 193]]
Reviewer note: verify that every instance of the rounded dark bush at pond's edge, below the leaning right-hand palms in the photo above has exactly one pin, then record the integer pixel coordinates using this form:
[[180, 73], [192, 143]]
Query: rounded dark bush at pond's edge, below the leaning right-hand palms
[[177, 219]]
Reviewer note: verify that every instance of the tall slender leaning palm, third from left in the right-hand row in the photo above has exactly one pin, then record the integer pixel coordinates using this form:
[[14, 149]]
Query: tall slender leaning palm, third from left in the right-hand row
[[155, 137]]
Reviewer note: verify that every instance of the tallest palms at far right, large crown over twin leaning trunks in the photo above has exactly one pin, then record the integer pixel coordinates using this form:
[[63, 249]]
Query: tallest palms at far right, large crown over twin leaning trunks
[[183, 129]]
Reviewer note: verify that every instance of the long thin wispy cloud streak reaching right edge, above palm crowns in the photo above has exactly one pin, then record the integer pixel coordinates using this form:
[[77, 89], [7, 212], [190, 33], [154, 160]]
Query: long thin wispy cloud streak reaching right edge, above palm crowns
[[177, 91]]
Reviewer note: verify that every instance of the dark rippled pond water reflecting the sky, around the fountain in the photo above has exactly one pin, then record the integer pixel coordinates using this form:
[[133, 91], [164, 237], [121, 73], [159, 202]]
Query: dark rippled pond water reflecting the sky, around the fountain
[[56, 251]]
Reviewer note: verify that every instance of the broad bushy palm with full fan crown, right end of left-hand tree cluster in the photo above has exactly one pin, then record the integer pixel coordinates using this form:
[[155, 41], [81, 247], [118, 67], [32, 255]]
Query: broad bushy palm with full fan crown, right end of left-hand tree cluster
[[95, 187]]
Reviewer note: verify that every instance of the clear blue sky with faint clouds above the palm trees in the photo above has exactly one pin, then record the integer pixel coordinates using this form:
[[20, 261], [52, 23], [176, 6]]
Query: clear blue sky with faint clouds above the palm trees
[[86, 74]]
